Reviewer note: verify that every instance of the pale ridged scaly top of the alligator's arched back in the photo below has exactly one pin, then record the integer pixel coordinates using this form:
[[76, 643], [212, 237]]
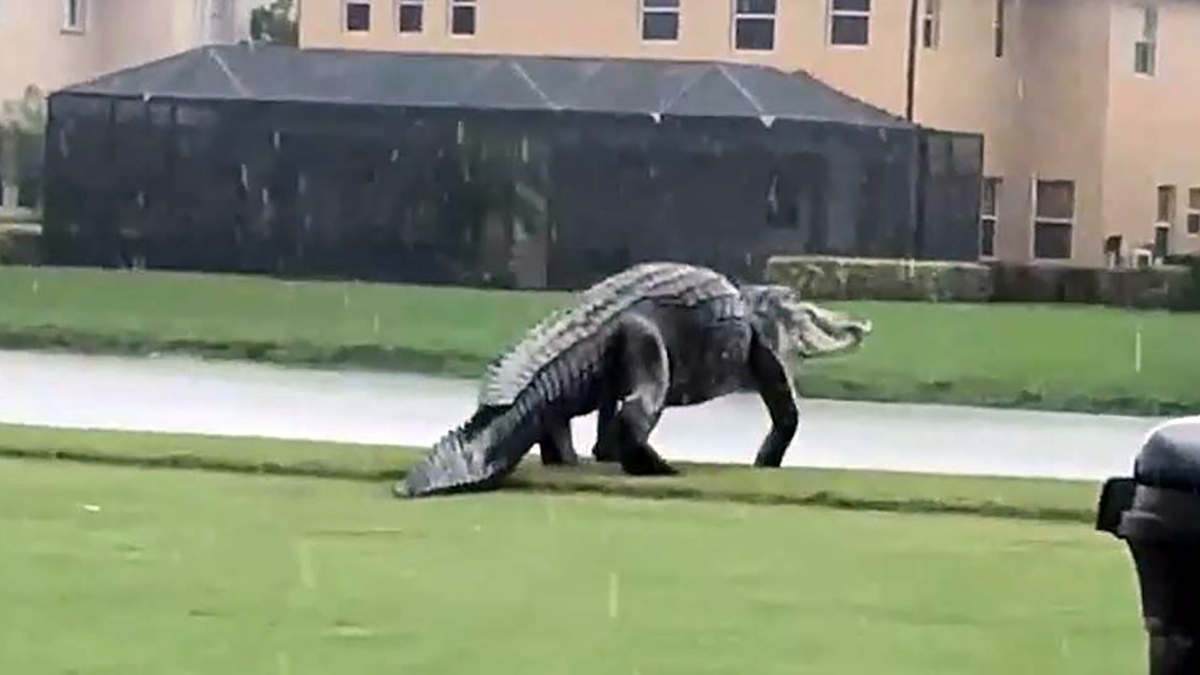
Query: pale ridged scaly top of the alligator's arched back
[[675, 283]]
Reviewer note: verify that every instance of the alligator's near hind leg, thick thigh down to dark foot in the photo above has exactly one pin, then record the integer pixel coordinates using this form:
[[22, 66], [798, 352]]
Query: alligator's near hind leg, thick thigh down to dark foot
[[645, 366]]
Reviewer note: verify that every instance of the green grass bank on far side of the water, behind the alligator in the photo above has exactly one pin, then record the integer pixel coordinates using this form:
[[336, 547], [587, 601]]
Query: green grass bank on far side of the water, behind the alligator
[[1076, 359]]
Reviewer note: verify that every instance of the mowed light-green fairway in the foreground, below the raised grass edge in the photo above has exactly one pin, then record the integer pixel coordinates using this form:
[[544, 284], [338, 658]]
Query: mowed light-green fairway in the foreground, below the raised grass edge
[[194, 572]]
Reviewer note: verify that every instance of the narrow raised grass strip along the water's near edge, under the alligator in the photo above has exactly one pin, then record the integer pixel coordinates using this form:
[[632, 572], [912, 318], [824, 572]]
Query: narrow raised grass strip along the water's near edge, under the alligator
[[1071, 501]]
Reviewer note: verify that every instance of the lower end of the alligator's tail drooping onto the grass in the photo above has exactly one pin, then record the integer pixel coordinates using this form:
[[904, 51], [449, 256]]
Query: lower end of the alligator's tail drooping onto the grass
[[476, 456]]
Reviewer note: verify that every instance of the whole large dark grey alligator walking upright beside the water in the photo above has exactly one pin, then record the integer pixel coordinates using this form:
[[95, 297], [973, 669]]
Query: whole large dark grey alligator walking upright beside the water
[[656, 336]]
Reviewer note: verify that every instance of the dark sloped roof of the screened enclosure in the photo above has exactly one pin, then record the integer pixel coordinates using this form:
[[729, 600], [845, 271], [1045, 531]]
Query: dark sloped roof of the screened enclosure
[[473, 81]]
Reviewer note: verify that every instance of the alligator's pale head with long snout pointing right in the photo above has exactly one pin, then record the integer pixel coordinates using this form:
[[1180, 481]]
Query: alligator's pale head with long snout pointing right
[[797, 326]]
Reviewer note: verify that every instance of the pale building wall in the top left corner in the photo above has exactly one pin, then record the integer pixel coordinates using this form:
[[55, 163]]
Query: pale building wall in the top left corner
[[117, 34]]
